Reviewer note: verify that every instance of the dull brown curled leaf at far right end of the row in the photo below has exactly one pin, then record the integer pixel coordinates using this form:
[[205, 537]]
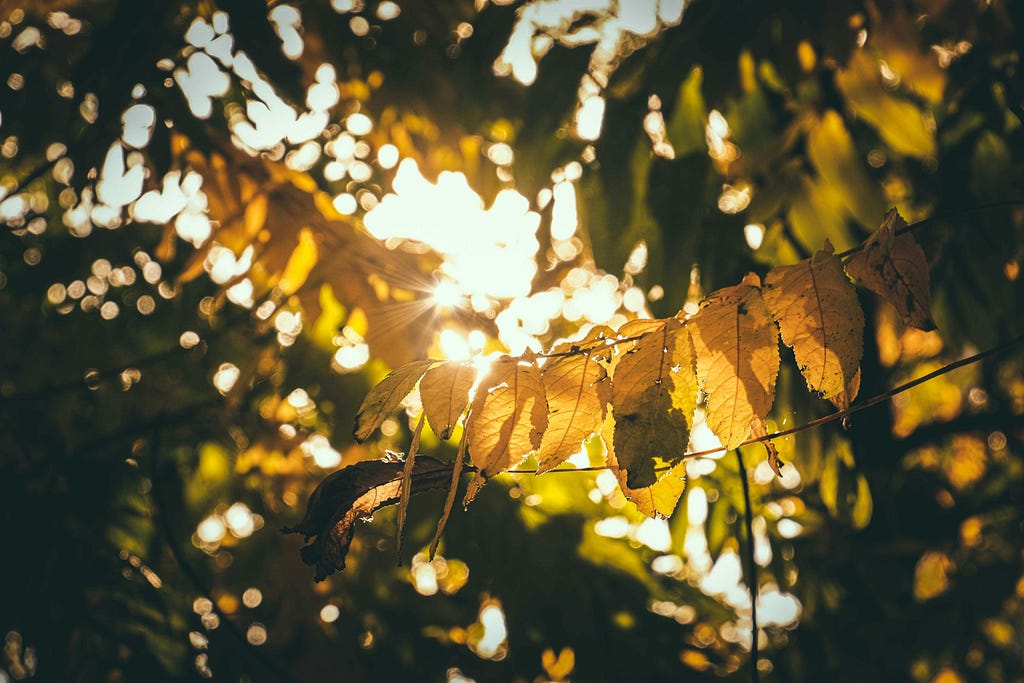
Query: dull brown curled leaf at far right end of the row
[[894, 268]]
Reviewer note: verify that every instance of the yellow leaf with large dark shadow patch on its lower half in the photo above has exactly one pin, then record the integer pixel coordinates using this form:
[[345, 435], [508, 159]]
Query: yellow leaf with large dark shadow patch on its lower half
[[654, 396]]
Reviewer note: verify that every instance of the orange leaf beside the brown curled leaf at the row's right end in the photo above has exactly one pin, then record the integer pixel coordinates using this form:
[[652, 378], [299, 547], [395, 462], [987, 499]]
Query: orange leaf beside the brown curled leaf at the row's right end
[[818, 311]]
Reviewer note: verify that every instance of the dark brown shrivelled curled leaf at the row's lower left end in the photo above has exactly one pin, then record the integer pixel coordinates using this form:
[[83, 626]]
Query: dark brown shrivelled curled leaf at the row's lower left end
[[352, 494]]
